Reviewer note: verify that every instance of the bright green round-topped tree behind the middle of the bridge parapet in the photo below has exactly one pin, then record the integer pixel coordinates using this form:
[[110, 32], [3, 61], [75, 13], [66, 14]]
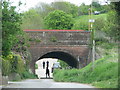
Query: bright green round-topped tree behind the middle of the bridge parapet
[[58, 20]]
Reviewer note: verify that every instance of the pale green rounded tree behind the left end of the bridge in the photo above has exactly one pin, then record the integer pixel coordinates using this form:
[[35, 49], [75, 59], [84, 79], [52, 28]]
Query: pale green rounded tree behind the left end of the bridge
[[32, 20]]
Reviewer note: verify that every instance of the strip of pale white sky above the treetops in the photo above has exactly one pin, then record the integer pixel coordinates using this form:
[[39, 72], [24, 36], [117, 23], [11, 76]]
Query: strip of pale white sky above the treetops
[[27, 4]]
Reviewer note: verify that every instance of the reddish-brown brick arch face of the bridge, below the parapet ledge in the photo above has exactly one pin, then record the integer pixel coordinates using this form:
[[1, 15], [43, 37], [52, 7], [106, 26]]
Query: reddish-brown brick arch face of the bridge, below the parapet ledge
[[74, 51]]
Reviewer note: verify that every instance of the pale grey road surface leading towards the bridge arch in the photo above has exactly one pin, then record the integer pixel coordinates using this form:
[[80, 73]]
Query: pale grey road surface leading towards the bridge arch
[[45, 83]]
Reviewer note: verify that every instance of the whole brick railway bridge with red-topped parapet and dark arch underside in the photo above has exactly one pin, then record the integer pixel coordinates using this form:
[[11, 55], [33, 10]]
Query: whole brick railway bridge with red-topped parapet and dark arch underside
[[71, 46]]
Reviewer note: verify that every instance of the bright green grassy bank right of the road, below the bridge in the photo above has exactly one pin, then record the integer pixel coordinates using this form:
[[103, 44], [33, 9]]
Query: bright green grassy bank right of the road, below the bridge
[[104, 75]]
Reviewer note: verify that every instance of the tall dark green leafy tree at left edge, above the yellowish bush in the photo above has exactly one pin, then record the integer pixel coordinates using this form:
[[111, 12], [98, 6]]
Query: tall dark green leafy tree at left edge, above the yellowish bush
[[11, 21]]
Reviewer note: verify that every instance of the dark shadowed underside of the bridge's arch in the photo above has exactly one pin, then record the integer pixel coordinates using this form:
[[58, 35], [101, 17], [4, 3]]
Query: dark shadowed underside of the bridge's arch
[[69, 59]]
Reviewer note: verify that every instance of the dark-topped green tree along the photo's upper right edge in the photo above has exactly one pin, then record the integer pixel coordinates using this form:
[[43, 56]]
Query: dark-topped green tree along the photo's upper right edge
[[112, 25]]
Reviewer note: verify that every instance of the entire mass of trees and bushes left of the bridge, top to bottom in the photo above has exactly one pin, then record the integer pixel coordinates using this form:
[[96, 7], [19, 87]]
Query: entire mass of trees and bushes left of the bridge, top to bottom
[[14, 40]]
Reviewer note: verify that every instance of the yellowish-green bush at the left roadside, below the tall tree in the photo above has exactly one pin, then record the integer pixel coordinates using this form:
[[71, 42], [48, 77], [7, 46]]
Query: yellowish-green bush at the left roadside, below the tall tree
[[12, 63]]
